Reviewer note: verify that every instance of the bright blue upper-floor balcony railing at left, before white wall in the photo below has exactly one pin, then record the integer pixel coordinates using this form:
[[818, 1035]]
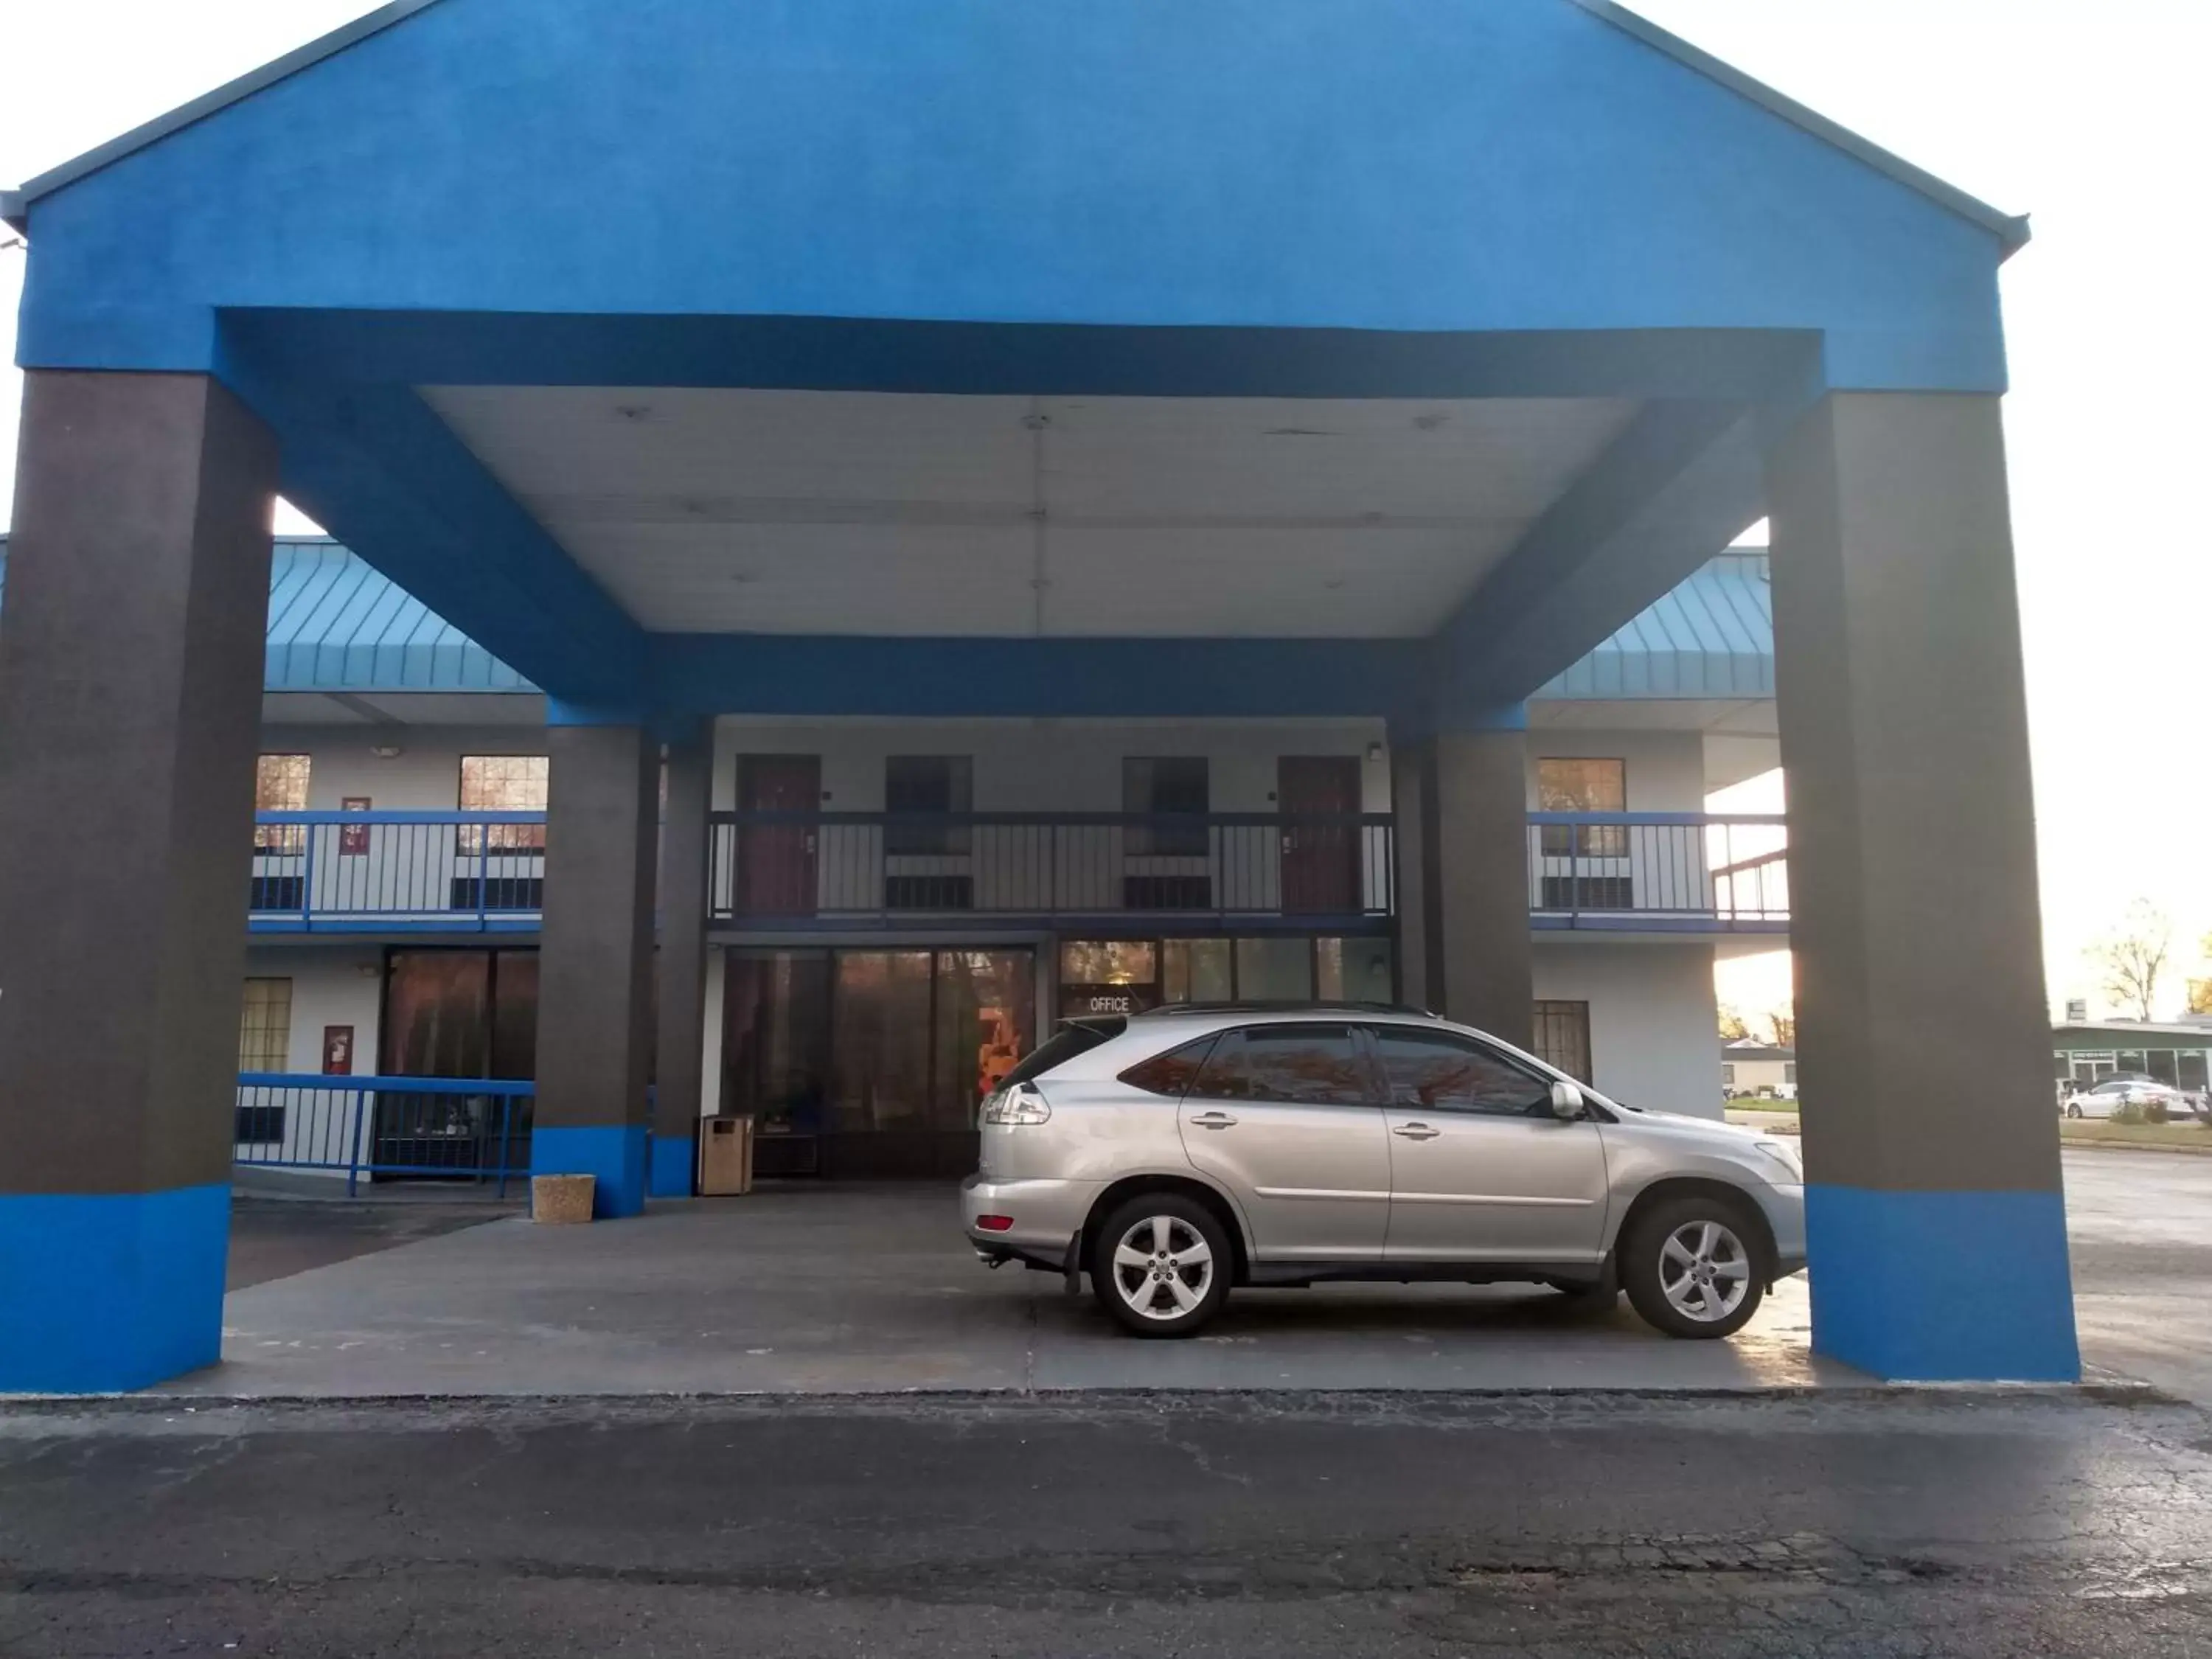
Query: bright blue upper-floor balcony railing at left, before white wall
[[368, 873]]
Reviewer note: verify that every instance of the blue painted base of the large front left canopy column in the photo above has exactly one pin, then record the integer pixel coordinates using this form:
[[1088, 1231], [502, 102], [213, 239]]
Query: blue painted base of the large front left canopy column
[[101, 1295]]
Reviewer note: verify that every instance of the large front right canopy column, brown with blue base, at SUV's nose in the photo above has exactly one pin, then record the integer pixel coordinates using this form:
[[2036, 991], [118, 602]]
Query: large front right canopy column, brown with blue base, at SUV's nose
[[1934, 1207]]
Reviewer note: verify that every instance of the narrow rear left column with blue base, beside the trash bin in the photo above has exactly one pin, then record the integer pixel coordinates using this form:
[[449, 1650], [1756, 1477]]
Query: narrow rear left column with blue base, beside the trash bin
[[680, 1050]]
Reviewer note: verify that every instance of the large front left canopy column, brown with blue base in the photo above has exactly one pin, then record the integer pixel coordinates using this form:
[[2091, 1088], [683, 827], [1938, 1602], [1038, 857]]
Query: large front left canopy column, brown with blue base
[[129, 720]]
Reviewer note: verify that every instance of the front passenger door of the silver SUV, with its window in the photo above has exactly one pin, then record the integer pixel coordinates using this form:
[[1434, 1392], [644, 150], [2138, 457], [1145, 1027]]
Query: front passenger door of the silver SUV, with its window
[[1481, 1169]]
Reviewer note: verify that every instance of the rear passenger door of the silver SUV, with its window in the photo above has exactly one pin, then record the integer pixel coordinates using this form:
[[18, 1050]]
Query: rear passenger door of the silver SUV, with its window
[[1282, 1118]]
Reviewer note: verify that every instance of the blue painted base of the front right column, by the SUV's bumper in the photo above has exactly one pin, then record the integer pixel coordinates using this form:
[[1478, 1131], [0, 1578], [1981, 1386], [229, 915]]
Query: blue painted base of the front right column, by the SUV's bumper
[[1943, 1286]]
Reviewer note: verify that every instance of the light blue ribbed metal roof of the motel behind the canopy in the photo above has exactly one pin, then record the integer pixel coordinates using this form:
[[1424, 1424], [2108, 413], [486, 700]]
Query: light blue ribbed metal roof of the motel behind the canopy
[[337, 625]]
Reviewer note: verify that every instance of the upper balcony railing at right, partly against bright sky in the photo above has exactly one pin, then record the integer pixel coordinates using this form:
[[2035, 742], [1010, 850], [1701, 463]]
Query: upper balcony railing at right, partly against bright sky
[[1649, 873]]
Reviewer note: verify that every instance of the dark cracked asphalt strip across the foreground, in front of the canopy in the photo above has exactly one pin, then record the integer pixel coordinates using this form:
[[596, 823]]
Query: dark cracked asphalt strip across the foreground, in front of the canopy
[[1830, 1523]]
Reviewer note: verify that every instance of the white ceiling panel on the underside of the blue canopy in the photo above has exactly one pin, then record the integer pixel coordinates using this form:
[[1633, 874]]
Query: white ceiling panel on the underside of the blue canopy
[[917, 514]]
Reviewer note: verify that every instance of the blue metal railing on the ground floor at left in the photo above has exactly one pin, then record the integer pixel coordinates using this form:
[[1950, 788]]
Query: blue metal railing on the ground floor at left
[[373, 1127]]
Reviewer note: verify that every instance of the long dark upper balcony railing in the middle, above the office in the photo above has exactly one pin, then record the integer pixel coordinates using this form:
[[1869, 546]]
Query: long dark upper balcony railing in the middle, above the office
[[778, 870]]
